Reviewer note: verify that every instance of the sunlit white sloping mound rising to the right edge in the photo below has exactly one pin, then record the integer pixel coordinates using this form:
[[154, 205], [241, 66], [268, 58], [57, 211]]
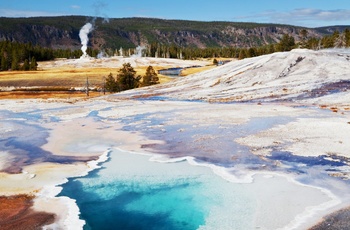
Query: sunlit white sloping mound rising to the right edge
[[300, 75]]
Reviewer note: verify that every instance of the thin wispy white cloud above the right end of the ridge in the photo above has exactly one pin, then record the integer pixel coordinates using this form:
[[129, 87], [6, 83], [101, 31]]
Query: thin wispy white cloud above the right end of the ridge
[[303, 16]]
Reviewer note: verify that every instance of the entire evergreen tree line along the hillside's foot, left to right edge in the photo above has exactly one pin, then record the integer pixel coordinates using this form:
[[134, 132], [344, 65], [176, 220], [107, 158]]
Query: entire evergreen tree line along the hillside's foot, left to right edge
[[24, 56]]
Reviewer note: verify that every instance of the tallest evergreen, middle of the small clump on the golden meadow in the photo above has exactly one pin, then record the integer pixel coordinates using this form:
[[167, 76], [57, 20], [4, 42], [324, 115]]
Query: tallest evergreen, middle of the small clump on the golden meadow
[[127, 78]]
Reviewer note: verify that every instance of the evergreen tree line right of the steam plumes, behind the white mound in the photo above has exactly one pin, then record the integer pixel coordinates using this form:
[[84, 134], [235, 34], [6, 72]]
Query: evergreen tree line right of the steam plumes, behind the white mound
[[287, 43]]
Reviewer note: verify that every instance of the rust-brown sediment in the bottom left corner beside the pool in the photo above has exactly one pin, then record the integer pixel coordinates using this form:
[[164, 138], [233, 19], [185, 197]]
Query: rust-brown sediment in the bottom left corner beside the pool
[[16, 214]]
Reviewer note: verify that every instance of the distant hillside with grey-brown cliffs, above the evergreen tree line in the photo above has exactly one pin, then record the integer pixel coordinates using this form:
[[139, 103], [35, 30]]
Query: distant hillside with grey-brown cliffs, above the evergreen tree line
[[63, 32]]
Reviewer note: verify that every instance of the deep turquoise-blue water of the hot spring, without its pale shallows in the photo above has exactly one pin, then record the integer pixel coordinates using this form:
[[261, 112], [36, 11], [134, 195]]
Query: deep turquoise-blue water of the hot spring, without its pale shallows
[[157, 206]]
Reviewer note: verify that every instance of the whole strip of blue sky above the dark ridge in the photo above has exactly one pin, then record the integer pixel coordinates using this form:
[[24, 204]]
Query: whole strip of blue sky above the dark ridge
[[309, 13]]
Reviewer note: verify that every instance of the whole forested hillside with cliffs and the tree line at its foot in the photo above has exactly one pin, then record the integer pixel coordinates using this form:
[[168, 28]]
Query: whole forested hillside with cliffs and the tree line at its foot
[[23, 41]]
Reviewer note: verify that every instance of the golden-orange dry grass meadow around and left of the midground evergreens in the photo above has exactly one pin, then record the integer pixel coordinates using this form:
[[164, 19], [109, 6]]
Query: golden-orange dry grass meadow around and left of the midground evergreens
[[54, 80]]
